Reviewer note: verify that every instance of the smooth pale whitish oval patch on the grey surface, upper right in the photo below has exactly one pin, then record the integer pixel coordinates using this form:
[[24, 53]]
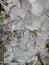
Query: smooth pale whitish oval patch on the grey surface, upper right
[[37, 9]]
